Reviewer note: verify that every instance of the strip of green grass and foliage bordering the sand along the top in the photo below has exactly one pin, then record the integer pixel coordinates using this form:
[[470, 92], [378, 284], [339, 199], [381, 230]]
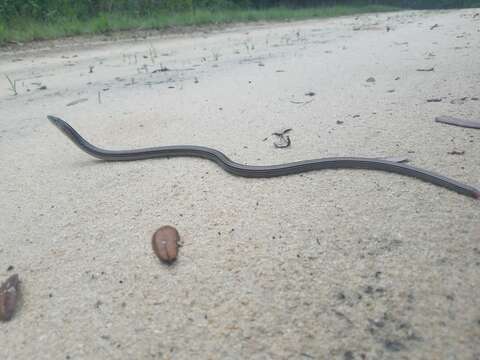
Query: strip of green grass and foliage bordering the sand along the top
[[24, 20]]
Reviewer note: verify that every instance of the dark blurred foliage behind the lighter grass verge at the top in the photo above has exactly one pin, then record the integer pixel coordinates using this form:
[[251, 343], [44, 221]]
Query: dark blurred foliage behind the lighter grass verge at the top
[[83, 9]]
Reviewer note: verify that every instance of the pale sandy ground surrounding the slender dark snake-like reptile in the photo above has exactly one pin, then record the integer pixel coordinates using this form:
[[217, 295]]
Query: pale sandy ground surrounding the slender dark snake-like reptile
[[345, 264]]
